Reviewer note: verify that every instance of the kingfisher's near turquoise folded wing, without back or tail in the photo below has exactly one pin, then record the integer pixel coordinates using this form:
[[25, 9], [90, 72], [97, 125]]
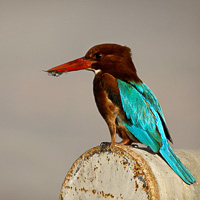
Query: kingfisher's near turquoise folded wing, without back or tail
[[144, 121]]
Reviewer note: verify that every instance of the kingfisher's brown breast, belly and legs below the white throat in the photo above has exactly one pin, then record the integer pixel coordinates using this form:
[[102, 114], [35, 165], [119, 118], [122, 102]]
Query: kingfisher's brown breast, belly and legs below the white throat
[[107, 97]]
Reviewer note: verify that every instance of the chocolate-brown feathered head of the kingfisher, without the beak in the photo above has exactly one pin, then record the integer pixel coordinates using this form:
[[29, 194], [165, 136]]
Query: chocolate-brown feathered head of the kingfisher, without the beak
[[114, 60]]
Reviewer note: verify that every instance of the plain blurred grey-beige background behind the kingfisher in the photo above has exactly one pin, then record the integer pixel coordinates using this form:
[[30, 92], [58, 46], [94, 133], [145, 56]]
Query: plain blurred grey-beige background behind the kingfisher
[[47, 122]]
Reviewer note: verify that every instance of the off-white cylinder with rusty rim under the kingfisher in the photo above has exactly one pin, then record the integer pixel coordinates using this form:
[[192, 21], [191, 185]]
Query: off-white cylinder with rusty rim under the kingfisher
[[129, 173]]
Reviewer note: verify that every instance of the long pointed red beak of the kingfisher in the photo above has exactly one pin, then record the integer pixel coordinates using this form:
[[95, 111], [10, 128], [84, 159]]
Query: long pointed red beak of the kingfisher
[[78, 64]]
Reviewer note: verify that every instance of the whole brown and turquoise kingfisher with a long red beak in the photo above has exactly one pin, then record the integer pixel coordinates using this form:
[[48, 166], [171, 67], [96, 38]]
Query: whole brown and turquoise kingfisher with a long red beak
[[127, 104]]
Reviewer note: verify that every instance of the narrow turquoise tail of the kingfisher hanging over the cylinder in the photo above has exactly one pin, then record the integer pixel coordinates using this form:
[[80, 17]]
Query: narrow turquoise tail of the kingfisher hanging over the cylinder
[[176, 165]]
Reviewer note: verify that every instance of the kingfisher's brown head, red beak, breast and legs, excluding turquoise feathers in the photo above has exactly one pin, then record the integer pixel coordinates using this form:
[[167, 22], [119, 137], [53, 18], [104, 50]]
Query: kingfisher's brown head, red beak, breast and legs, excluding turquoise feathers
[[109, 62]]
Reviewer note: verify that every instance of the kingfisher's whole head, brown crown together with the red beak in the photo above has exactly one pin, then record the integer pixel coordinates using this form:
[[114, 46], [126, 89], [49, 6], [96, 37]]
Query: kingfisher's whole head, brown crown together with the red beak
[[107, 58]]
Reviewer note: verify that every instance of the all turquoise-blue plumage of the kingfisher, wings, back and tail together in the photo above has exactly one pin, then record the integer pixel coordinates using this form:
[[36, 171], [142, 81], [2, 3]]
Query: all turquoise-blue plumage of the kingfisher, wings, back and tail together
[[148, 124]]
